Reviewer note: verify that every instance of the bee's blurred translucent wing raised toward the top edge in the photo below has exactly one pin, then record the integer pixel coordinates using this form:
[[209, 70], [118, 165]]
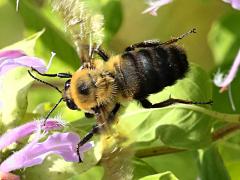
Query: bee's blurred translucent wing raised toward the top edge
[[83, 23]]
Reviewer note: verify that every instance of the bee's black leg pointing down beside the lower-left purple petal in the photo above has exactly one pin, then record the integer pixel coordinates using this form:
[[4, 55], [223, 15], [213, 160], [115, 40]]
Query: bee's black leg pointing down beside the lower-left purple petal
[[95, 129]]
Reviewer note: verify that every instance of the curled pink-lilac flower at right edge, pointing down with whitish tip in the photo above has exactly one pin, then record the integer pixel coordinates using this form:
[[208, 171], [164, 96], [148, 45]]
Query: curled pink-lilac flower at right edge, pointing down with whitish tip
[[224, 81]]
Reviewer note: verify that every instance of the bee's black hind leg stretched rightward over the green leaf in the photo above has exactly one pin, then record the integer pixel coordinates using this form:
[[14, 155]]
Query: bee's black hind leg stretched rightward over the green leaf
[[147, 104]]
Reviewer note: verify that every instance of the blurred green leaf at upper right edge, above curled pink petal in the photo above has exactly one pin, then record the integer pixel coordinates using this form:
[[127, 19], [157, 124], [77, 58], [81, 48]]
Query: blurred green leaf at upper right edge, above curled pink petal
[[224, 38]]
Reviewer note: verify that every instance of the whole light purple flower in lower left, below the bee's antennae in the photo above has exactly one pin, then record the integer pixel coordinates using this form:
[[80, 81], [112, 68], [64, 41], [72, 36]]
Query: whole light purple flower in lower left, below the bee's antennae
[[34, 153]]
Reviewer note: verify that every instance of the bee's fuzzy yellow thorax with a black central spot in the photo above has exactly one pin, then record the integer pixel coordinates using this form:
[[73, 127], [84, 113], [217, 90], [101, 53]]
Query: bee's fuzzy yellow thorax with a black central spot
[[89, 89]]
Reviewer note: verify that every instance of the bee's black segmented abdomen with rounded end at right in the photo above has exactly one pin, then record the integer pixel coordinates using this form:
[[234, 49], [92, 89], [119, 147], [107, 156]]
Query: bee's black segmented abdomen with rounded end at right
[[152, 69]]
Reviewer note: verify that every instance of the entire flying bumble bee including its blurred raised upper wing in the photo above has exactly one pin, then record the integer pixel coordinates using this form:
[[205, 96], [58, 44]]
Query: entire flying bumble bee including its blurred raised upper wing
[[101, 85]]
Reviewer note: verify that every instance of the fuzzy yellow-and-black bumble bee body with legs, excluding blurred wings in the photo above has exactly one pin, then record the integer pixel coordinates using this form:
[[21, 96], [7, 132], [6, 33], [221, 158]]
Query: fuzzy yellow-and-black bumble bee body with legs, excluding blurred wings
[[145, 68]]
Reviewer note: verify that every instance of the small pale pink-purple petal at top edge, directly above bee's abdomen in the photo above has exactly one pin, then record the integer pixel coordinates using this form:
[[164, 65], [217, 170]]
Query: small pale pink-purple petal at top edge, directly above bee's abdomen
[[154, 5]]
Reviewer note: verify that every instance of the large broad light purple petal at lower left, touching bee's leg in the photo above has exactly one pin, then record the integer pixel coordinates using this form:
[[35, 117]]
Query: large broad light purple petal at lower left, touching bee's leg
[[34, 153]]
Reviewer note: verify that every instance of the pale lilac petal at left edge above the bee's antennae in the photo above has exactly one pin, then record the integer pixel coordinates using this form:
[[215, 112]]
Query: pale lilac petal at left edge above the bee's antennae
[[11, 59]]
